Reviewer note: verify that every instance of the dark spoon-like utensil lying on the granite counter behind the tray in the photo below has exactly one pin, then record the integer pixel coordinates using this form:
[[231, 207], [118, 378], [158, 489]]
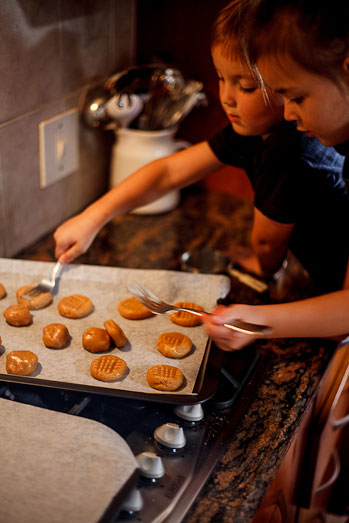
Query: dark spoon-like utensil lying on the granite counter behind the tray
[[211, 261]]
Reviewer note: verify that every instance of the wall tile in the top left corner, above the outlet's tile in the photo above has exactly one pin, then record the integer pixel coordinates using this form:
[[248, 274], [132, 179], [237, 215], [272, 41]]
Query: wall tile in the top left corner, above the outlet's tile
[[29, 56]]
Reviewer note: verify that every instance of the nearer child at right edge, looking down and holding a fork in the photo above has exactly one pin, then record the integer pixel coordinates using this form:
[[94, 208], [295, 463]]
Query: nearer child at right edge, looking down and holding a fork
[[301, 48]]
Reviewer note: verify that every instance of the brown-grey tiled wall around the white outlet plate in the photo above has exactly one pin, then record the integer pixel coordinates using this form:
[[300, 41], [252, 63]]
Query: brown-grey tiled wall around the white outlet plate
[[50, 52]]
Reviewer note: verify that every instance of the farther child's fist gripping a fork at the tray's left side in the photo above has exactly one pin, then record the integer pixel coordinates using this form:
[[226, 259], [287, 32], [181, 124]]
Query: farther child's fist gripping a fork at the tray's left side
[[74, 237]]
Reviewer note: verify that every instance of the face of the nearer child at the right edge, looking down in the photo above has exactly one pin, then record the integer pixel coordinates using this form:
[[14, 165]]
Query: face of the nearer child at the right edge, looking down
[[319, 106]]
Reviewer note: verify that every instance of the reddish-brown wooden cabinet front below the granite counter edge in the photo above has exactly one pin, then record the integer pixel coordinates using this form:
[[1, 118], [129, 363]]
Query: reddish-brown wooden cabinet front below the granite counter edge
[[300, 492]]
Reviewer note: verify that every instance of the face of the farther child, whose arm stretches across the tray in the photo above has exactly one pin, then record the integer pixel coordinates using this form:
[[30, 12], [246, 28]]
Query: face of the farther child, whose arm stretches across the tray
[[245, 104]]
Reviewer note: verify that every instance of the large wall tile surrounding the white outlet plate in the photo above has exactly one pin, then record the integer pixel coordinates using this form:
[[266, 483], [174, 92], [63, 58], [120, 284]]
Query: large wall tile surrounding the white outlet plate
[[30, 211]]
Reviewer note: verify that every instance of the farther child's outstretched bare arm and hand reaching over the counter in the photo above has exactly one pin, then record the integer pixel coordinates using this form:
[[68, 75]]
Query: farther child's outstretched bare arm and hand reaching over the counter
[[150, 182]]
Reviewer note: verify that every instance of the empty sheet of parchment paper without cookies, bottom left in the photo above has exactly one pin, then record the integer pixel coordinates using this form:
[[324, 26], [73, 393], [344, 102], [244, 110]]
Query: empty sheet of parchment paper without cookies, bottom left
[[58, 468]]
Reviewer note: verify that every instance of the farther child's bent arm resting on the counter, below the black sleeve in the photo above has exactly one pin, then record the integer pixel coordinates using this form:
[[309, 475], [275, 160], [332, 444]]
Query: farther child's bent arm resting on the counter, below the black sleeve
[[269, 240]]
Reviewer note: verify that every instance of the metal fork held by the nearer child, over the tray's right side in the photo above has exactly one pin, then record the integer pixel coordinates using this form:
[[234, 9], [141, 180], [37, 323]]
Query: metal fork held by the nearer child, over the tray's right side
[[158, 306]]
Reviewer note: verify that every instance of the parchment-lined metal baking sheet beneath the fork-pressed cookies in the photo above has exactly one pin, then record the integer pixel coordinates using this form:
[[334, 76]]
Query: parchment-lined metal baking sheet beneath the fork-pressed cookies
[[106, 287]]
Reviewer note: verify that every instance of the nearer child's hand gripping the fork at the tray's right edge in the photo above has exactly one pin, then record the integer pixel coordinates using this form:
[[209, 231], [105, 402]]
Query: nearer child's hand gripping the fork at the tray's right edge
[[227, 339]]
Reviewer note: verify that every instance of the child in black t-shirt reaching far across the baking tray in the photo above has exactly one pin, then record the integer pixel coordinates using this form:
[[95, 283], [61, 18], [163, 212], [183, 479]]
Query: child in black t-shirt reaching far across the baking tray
[[294, 176]]
